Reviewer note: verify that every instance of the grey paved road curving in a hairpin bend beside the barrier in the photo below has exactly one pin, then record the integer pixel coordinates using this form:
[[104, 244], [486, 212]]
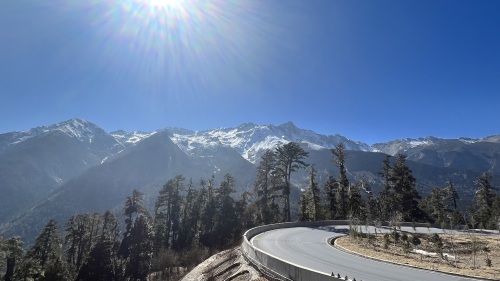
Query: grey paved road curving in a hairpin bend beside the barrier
[[308, 247]]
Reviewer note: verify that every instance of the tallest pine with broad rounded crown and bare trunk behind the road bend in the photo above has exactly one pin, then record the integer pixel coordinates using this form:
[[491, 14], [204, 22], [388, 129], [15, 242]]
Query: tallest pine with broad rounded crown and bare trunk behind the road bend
[[290, 158]]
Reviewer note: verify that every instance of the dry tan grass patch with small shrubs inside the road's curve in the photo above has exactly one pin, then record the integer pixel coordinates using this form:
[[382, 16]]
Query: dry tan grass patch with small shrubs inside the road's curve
[[472, 252]]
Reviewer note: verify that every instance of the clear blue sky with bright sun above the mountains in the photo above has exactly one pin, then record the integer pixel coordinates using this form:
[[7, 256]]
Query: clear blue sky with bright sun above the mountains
[[372, 71]]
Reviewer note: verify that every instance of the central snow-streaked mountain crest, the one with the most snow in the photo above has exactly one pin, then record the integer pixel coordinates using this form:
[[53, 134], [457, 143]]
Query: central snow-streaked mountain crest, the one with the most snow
[[252, 140]]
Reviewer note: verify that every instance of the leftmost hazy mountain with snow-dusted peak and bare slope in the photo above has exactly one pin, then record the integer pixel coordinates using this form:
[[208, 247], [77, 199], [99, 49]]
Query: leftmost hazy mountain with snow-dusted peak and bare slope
[[36, 162]]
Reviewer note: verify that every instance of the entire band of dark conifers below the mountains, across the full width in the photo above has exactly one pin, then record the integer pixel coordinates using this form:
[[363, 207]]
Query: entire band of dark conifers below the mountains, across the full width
[[190, 221]]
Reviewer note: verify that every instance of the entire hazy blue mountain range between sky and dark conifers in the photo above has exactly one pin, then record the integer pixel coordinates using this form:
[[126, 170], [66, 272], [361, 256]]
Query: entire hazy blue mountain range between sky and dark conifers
[[75, 166]]
